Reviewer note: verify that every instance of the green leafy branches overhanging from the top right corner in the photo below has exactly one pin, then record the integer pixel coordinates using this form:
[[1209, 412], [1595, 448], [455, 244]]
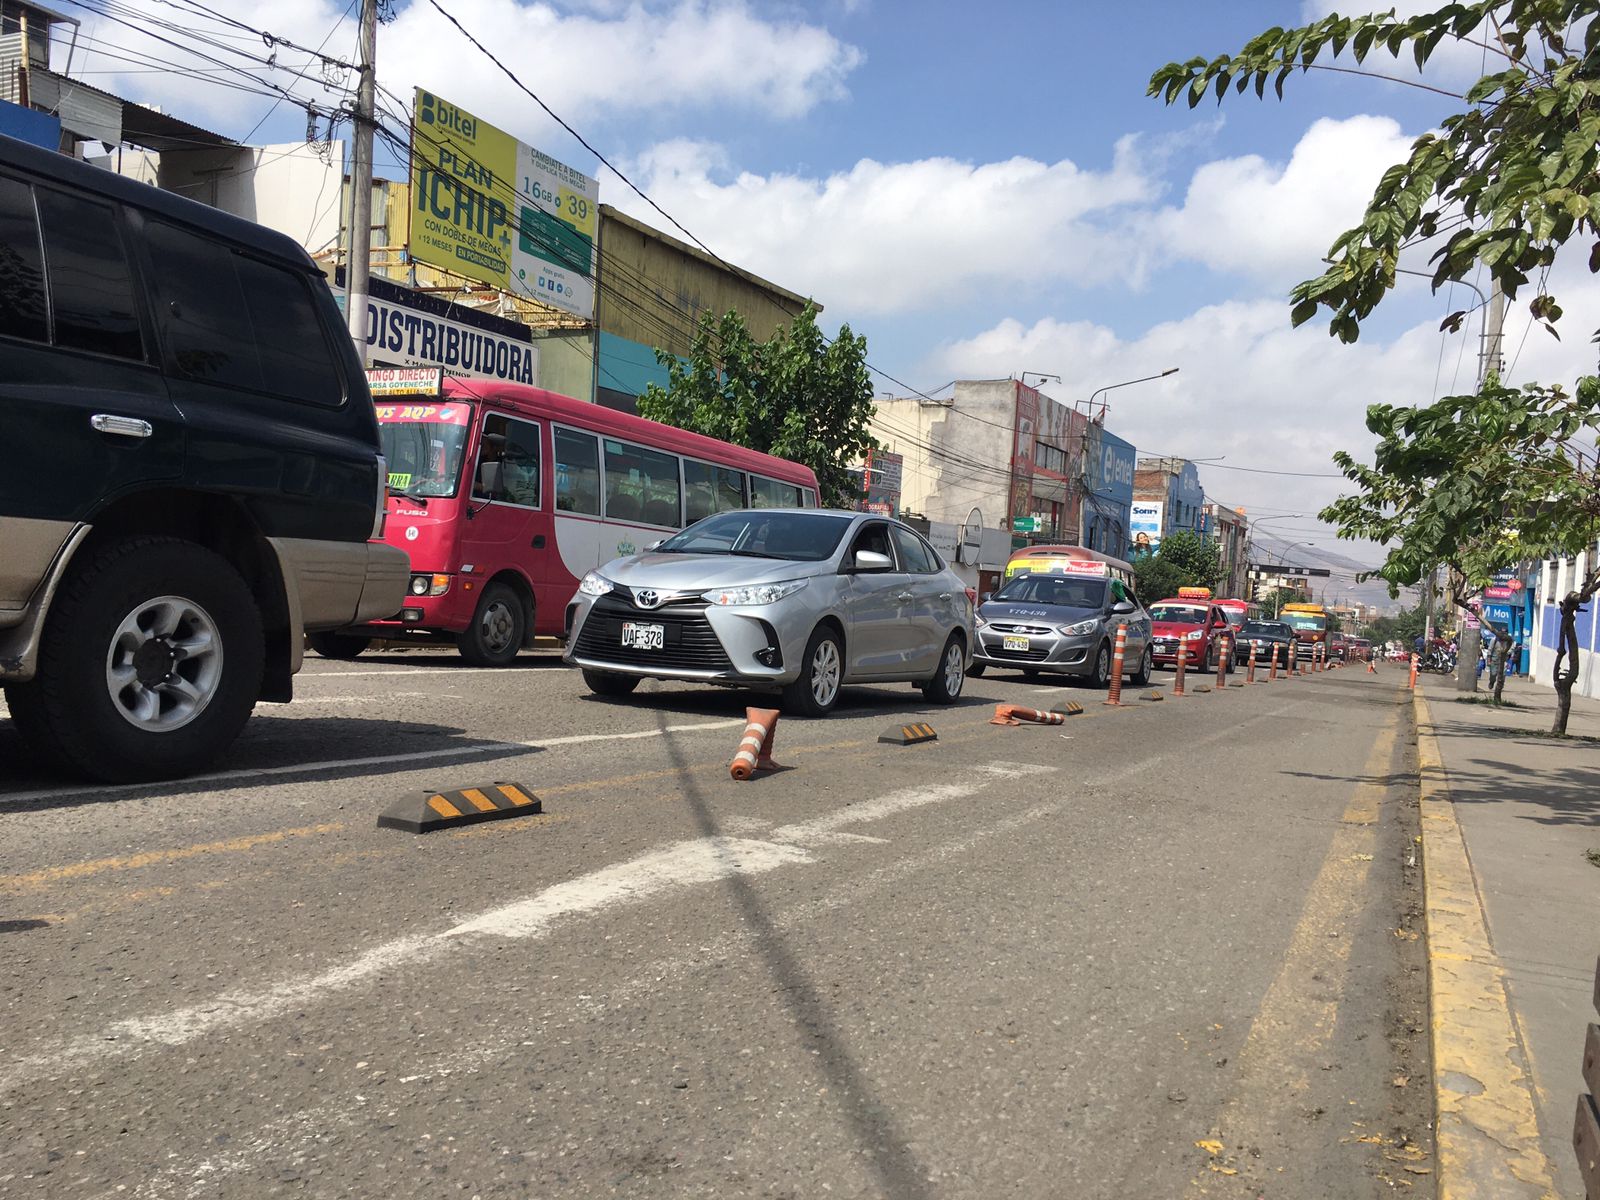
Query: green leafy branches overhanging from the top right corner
[[1508, 180]]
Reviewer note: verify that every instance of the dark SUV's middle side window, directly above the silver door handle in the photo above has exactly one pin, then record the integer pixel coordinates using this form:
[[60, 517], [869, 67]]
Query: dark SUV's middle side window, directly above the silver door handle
[[90, 281]]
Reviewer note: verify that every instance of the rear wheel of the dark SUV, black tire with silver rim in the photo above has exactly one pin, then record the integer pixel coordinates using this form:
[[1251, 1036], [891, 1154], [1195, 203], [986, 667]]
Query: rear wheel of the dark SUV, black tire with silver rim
[[150, 665]]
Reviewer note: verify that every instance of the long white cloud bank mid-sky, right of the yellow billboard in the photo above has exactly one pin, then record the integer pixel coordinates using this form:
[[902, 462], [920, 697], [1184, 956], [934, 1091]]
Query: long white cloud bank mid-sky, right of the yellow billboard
[[894, 238]]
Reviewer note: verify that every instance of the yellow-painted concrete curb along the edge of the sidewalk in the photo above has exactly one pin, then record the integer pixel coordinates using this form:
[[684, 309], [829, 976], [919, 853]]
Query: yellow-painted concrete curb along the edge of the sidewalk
[[1487, 1132]]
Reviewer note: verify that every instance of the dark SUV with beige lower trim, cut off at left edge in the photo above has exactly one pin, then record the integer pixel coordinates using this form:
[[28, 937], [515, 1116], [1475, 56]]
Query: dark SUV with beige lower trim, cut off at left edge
[[191, 470]]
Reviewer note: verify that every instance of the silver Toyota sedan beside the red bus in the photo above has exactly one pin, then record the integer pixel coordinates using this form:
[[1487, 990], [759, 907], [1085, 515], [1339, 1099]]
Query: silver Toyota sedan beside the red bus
[[802, 601]]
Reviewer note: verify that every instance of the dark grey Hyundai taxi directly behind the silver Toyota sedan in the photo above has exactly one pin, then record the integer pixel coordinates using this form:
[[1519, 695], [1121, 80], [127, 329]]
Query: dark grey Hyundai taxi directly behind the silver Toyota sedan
[[1063, 623]]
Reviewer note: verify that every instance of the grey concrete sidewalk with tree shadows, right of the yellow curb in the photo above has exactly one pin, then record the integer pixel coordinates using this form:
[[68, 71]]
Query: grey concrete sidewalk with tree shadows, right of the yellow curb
[[1529, 812]]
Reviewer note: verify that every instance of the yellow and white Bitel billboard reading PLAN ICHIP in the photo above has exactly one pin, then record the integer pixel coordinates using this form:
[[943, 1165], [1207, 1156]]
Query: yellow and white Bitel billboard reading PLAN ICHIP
[[487, 207]]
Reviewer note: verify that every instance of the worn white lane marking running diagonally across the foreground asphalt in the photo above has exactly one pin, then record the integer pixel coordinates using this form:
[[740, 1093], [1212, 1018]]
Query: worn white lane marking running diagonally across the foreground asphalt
[[684, 865]]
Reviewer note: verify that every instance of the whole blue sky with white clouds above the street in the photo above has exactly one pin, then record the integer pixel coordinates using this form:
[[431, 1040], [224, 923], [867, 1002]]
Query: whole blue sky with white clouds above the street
[[986, 191]]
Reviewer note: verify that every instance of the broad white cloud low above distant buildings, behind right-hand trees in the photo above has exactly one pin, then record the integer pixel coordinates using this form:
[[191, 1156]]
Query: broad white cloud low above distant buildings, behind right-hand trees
[[1257, 391]]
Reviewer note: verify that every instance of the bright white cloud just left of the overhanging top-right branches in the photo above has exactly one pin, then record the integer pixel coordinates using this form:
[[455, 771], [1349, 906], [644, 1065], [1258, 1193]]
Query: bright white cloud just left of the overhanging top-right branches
[[1252, 217]]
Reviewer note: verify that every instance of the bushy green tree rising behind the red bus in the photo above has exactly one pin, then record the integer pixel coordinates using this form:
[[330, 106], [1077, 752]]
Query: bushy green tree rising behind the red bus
[[796, 396]]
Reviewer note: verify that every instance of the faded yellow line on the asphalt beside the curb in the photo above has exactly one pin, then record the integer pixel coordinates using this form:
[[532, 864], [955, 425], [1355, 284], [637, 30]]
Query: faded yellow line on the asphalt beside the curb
[[1297, 1022]]
